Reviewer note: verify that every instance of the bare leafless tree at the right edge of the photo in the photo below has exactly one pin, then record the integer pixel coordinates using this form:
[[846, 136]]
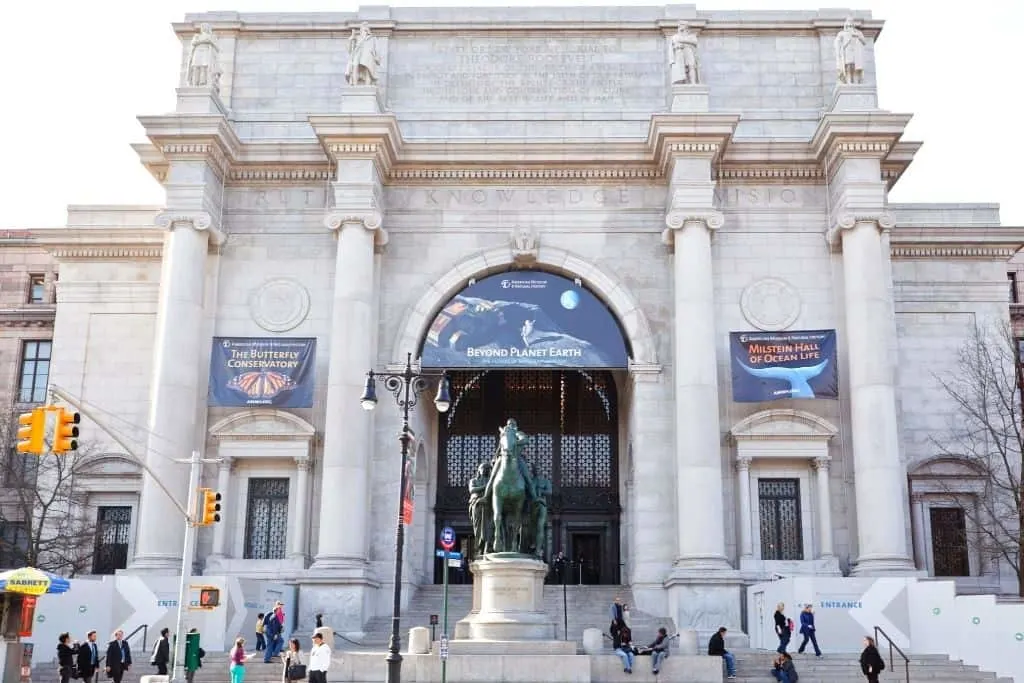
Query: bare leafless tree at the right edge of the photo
[[986, 387]]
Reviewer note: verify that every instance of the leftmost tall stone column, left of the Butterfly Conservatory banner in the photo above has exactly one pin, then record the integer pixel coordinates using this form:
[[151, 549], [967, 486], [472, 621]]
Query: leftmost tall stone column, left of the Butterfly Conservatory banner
[[175, 390]]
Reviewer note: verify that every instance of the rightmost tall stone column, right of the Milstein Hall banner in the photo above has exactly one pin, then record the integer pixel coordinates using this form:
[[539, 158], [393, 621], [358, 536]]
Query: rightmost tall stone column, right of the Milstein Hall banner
[[879, 477]]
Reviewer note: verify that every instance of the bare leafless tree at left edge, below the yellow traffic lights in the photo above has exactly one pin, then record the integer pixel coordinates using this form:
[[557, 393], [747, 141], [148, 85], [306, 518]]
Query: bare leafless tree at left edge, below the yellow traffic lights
[[44, 513]]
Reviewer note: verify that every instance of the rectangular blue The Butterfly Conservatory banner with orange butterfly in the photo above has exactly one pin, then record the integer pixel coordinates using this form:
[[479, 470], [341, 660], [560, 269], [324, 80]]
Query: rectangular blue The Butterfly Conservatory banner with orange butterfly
[[276, 372]]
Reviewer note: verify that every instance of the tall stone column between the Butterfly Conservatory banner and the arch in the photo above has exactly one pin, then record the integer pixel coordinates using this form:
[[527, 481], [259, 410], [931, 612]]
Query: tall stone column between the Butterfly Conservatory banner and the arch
[[348, 443]]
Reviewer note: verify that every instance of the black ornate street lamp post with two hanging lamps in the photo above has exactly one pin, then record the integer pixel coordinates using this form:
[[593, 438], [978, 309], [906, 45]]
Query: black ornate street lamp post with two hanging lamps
[[407, 387]]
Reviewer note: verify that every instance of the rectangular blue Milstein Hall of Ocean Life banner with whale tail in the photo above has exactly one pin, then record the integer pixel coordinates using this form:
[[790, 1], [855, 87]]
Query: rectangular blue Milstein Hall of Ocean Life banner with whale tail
[[773, 366]]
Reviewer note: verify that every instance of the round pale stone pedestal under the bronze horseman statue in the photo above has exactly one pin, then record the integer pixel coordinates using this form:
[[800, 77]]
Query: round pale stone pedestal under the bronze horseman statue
[[509, 604]]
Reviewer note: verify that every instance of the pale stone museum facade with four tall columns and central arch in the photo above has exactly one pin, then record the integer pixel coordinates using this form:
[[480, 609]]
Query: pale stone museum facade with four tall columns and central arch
[[743, 189]]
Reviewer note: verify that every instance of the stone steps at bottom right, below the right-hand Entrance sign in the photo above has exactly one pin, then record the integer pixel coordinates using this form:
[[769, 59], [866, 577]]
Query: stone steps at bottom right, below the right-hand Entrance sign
[[754, 667]]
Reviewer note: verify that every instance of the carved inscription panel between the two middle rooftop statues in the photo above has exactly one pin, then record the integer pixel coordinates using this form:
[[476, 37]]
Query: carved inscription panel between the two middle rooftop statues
[[563, 72]]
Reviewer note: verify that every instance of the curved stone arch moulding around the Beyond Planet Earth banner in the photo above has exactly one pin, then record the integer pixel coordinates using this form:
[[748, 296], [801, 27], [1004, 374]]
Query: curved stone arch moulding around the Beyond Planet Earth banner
[[622, 304]]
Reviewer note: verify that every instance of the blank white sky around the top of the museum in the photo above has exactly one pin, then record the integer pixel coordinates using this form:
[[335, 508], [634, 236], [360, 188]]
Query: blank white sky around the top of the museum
[[77, 73]]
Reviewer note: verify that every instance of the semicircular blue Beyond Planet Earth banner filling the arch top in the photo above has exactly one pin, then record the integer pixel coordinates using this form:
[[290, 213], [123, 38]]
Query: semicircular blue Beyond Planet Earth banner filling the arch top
[[526, 319]]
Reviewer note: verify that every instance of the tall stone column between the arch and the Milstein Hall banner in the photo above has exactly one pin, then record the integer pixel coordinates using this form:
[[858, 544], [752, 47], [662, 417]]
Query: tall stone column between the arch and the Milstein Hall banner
[[700, 503]]
